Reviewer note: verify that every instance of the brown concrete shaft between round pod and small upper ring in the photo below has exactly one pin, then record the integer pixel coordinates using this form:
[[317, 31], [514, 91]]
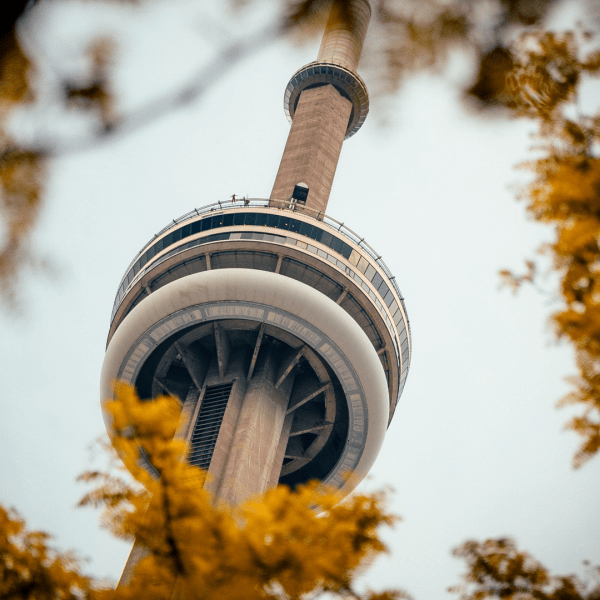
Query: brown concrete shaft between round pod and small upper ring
[[314, 144]]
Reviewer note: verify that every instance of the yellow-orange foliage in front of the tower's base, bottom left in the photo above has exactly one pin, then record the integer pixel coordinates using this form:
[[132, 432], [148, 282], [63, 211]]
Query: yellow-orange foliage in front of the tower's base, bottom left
[[275, 547]]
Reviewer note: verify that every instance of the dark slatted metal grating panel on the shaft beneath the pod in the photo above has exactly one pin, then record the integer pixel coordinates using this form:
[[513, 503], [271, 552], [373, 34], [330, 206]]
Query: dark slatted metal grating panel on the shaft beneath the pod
[[208, 424]]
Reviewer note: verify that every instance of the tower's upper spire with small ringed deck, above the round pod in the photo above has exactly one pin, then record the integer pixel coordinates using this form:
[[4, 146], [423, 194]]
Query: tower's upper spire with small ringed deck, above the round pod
[[326, 102]]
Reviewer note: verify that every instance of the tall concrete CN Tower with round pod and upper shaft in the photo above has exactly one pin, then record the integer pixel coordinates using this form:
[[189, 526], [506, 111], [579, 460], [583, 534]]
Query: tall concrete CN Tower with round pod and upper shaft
[[282, 334]]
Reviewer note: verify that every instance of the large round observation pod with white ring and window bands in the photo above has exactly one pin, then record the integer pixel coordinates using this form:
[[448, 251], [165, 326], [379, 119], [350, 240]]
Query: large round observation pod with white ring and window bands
[[250, 249]]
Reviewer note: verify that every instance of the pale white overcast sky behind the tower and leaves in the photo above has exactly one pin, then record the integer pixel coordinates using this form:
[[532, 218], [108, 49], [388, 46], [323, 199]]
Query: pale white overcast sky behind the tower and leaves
[[476, 448]]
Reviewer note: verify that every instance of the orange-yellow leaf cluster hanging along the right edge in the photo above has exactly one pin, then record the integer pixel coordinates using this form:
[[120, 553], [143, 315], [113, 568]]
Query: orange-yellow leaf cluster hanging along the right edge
[[565, 194]]
